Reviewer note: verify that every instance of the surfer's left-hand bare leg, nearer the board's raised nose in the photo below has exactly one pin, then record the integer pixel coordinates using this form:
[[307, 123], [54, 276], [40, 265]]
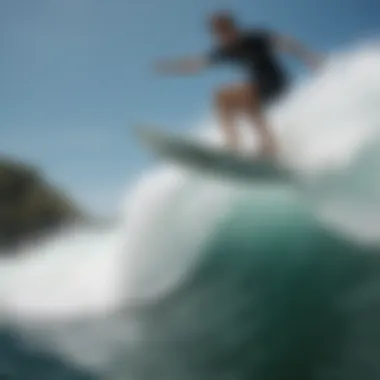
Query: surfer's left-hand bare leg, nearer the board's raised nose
[[227, 106]]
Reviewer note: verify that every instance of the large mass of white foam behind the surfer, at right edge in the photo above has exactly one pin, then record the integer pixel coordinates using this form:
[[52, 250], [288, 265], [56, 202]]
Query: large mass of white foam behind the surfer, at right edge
[[330, 132]]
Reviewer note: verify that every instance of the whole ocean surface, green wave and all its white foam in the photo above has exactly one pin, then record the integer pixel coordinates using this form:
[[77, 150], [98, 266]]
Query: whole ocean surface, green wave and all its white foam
[[207, 278]]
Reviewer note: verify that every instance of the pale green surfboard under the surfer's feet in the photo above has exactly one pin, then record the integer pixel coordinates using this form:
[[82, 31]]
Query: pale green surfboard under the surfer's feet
[[194, 154]]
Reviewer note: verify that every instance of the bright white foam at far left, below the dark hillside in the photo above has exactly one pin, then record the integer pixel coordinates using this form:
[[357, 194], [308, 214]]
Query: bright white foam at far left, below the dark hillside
[[66, 276]]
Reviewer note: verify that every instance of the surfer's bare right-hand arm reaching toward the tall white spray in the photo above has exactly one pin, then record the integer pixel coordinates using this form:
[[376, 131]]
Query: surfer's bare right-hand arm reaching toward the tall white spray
[[297, 49]]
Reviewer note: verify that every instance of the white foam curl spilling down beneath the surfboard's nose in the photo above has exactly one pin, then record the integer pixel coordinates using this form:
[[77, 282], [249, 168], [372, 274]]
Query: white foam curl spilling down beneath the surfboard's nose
[[170, 216]]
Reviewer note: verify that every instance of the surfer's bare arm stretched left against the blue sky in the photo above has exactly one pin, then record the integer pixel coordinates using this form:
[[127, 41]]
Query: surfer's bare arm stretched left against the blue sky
[[182, 66]]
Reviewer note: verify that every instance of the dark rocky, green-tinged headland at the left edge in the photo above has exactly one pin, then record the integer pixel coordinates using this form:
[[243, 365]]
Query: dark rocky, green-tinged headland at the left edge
[[30, 206]]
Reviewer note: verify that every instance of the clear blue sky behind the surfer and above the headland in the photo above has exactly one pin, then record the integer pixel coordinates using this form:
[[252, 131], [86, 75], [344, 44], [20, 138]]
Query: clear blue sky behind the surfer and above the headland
[[75, 76]]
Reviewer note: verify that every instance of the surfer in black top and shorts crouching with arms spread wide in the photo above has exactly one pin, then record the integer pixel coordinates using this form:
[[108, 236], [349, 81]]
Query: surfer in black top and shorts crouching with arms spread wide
[[254, 51]]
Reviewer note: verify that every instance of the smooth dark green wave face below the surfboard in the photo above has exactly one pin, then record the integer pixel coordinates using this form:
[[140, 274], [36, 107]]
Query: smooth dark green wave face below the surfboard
[[277, 296]]
